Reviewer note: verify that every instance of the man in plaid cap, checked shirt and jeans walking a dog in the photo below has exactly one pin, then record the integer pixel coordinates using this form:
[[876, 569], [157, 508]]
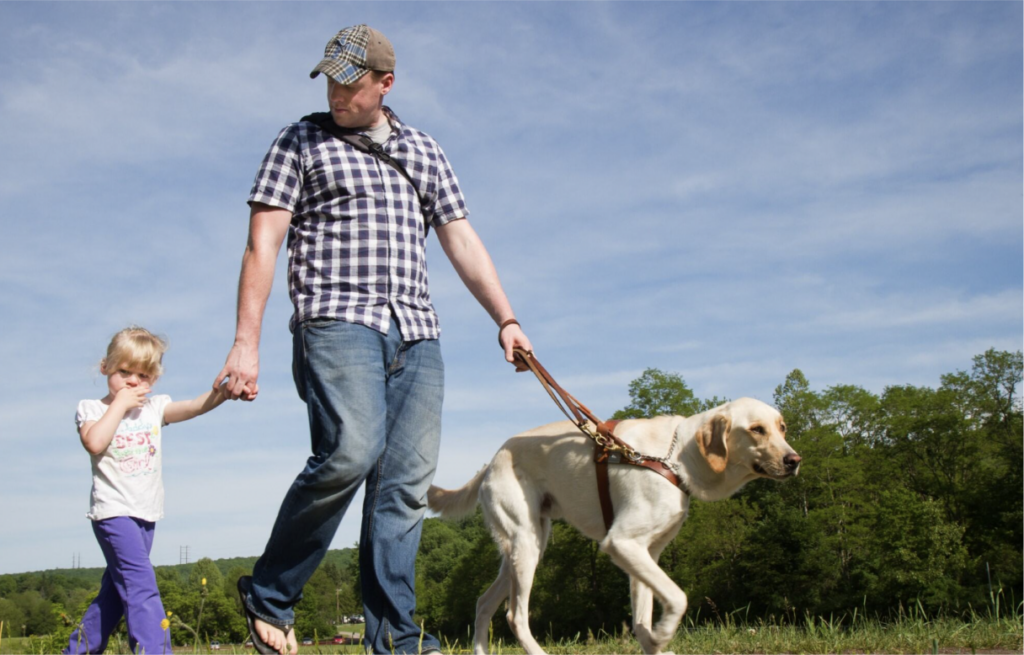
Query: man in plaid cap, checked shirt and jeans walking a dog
[[366, 360]]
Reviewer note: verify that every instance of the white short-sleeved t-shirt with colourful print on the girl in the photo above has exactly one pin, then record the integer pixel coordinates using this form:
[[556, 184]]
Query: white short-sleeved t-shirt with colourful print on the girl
[[126, 477]]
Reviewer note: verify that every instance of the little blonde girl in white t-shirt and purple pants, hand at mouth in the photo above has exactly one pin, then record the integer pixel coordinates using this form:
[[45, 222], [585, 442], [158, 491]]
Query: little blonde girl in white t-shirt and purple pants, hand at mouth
[[123, 433]]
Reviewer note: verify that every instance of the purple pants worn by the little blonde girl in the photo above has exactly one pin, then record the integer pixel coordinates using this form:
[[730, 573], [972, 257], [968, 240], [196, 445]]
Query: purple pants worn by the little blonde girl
[[129, 589]]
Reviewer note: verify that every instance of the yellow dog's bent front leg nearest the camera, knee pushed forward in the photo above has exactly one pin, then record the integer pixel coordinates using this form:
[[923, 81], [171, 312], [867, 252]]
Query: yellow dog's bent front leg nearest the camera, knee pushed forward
[[635, 560]]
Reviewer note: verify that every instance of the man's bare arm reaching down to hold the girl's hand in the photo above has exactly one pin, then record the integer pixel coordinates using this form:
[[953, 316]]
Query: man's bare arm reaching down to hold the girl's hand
[[268, 228]]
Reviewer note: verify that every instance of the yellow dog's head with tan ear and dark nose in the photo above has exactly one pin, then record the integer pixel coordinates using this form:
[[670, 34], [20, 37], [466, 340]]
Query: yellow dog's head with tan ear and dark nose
[[751, 434]]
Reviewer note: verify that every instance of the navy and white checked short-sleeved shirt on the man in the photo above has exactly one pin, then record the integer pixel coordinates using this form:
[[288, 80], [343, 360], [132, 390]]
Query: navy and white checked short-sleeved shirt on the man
[[357, 246]]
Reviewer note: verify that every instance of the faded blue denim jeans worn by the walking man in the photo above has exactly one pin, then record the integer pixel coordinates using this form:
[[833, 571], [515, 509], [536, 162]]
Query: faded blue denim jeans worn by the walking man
[[375, 416]]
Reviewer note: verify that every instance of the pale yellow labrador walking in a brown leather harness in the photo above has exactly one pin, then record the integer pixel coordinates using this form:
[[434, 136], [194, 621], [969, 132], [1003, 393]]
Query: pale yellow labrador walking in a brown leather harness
[[548, 473]]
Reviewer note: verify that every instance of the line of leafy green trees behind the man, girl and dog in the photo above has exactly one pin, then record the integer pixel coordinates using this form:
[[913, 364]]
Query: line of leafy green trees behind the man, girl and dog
[[911, 497]]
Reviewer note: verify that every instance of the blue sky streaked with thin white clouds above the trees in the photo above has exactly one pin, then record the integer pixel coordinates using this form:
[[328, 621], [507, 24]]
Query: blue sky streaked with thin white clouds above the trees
[[726, 191]]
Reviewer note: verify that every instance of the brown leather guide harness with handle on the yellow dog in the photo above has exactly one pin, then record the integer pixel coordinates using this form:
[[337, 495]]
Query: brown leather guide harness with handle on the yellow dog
[[608, 448]]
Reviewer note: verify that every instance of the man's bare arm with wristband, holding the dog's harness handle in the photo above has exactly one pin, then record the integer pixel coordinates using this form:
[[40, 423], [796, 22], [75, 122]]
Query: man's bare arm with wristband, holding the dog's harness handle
[[472, 261]]
